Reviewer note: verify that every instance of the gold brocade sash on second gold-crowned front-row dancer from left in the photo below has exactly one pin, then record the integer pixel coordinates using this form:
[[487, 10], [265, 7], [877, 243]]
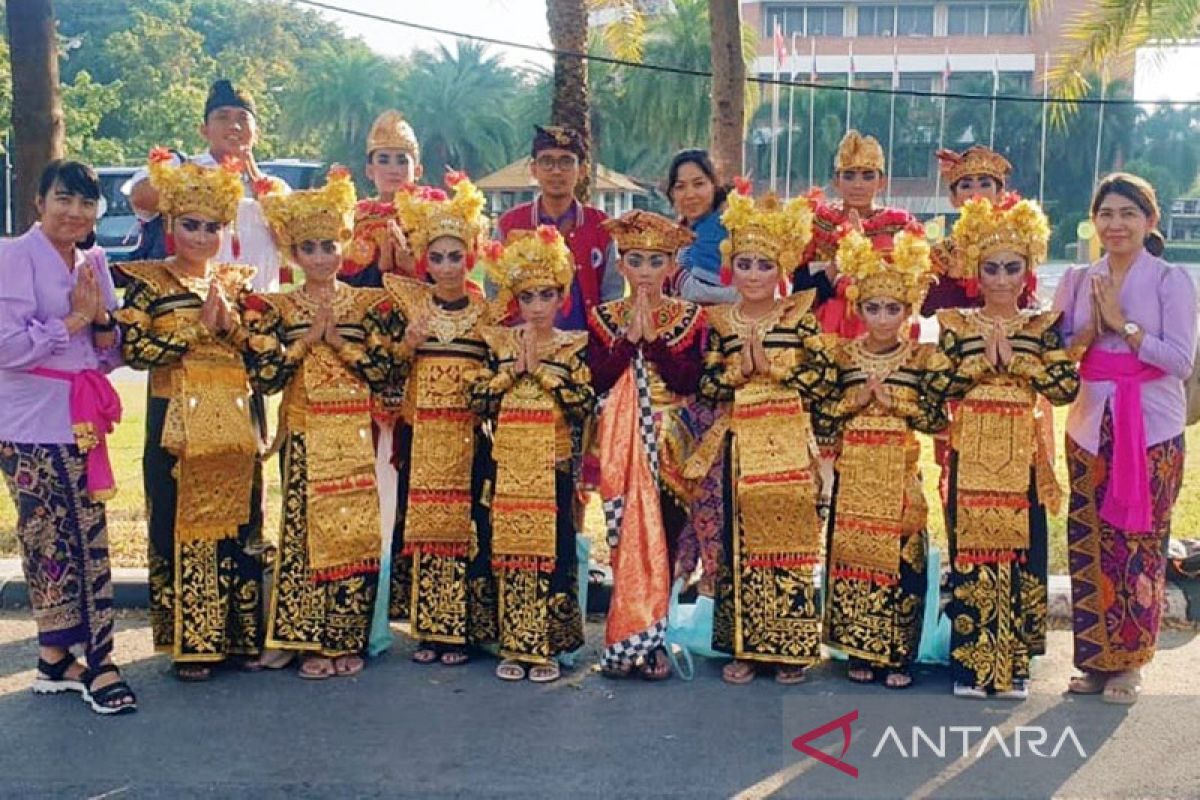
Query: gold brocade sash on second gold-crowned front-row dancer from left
[[344, 510]]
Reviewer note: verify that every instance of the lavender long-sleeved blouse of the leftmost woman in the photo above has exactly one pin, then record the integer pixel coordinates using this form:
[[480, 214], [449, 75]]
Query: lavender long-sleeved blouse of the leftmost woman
[[35, 296]]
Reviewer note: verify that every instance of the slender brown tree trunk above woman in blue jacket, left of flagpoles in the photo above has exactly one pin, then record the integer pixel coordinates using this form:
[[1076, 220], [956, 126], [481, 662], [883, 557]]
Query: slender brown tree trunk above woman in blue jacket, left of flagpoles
[[729, 87]]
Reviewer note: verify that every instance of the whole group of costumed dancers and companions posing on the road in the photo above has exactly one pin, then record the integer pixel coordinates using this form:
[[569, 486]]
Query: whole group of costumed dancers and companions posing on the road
[[742, 386]]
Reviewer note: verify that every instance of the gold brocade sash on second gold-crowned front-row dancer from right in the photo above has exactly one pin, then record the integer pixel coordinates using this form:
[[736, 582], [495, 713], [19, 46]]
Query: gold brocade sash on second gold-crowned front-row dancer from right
[[873, 476]]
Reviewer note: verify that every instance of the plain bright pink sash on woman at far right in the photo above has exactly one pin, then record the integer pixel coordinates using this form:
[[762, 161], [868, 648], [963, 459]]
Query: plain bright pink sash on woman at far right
[[1127, 506]]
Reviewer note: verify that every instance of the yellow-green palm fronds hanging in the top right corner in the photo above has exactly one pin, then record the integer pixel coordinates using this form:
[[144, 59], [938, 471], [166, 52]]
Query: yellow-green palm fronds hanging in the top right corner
[[1108, 31]]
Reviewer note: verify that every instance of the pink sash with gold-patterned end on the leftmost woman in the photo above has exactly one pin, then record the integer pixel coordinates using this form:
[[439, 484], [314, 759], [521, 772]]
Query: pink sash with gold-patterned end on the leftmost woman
[[95, 410]]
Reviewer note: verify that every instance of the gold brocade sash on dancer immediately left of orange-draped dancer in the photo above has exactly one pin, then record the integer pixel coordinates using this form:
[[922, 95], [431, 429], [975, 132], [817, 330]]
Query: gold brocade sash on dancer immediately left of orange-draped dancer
[[524, 510]]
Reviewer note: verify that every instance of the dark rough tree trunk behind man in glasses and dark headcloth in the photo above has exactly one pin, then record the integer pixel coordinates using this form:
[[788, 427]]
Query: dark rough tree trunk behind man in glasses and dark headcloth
[[569, 34]]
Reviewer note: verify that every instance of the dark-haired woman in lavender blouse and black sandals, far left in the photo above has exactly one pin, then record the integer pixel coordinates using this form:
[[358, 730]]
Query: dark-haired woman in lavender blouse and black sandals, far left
[[57, 339]]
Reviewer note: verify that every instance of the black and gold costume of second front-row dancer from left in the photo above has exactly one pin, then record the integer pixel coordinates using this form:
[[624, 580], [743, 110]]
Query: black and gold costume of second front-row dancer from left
[[328, 560]]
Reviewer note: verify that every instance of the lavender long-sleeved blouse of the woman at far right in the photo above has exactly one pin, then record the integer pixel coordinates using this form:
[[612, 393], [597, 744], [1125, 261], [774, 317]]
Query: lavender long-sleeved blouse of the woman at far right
[[1162, 300]]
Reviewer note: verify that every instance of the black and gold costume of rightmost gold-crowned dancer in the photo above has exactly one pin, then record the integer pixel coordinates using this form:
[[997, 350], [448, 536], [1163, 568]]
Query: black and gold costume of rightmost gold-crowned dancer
[[1001, 484]]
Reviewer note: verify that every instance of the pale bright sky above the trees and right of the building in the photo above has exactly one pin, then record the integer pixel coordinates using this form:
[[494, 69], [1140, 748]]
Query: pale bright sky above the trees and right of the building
[[1166, 74]]
